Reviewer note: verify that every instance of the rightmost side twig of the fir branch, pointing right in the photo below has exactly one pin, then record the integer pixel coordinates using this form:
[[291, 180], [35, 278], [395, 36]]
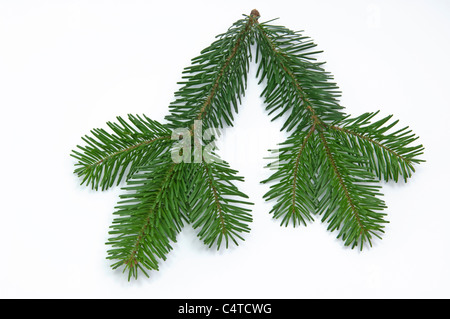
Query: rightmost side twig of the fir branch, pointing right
[[389, 153]]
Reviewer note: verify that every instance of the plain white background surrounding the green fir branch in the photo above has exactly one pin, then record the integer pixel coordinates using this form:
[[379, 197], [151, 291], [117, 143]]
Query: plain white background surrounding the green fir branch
[[69, 66]]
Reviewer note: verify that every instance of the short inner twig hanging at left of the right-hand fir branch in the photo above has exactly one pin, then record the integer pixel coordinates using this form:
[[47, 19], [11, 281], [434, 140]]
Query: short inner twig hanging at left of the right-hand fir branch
[[294, 190]]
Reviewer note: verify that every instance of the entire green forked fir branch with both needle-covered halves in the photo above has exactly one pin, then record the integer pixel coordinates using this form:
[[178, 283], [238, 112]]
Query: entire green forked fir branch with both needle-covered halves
[[328, 166]]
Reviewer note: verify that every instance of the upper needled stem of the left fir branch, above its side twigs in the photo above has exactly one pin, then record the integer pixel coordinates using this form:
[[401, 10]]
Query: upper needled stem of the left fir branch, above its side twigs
[[215, 81]]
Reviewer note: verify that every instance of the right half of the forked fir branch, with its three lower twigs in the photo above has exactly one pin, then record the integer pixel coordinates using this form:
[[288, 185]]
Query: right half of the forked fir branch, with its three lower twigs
[[343, 161]]
